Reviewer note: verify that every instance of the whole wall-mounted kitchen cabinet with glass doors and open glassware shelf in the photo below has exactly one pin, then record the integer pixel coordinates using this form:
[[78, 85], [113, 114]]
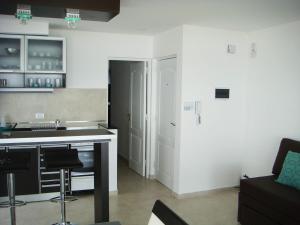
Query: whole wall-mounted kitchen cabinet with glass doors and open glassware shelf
[[39, 61]]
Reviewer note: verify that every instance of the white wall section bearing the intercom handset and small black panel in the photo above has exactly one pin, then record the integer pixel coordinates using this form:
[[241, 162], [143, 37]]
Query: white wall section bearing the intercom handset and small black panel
[[210, 153]]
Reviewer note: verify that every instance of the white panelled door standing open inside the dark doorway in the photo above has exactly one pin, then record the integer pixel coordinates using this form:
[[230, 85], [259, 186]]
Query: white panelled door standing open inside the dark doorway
[[137, 117]]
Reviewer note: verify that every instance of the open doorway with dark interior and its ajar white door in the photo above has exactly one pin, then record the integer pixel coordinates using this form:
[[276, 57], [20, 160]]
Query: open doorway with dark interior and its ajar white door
[[127, 110]]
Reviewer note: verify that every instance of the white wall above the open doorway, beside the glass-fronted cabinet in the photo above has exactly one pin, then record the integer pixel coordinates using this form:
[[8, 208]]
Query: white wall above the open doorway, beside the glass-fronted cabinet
[[88, 54]]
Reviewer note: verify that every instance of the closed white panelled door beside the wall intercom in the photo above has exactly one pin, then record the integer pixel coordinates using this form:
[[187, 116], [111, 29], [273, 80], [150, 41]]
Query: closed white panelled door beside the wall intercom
[[166, 123]]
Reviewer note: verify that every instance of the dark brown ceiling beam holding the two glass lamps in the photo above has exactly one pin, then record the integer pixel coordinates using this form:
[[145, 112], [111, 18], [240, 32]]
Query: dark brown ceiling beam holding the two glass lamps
[[95, 10]]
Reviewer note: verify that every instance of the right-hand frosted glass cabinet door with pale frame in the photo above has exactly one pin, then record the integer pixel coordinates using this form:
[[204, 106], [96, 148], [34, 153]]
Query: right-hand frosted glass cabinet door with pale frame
[[45, 55]]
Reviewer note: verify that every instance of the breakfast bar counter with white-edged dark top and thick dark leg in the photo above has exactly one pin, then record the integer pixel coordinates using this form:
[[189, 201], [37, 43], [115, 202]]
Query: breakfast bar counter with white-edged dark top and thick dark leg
[[100, 138]]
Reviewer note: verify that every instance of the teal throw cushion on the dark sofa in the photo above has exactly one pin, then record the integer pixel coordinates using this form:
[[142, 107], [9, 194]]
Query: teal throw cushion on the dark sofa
[[290, 173]]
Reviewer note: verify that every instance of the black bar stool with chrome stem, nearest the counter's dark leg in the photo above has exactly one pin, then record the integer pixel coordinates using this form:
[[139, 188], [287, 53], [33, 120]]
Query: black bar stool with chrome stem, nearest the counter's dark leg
[[62, 159]]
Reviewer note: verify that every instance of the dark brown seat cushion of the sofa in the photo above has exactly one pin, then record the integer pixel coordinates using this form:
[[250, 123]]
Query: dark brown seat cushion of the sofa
[[280, 198]]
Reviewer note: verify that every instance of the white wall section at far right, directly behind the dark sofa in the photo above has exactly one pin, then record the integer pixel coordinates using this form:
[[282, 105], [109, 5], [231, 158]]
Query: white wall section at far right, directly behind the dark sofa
[[273, 105]]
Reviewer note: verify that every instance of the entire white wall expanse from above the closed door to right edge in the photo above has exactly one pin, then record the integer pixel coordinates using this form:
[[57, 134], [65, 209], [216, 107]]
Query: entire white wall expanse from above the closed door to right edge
[[242, 134]]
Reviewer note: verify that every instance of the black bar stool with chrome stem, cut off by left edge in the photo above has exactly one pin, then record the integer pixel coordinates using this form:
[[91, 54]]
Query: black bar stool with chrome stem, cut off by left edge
[[11, 163]]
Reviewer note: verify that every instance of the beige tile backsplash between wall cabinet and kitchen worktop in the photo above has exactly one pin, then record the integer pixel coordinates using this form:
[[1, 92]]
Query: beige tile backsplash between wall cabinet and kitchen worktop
[[62, 104]]
